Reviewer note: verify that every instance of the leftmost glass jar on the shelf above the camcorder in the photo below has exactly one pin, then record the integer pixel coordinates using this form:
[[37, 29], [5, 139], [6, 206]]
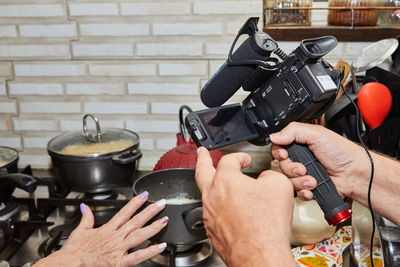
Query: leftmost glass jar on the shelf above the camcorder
[[286, 17]]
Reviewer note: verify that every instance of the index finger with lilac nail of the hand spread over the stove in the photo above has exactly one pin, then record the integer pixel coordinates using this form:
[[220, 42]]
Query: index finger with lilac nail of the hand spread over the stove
[[127, 211]]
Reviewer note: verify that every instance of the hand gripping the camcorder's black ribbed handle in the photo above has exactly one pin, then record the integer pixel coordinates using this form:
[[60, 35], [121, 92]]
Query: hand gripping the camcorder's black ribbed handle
[[340, 157]]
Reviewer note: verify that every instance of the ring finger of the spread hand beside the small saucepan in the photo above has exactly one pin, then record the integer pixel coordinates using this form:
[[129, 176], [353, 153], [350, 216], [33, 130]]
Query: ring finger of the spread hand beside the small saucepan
[[138, 236]]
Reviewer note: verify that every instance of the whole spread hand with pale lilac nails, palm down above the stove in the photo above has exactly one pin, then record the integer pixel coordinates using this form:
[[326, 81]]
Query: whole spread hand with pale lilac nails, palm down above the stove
[[108, 245]]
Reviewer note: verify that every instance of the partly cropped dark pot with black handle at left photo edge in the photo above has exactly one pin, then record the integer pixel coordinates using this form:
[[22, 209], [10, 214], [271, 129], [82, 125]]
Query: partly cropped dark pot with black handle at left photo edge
[[9, 178]]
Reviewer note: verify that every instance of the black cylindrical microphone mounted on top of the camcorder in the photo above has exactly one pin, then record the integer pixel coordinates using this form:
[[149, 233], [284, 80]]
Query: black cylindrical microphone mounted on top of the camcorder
[[253, 52]]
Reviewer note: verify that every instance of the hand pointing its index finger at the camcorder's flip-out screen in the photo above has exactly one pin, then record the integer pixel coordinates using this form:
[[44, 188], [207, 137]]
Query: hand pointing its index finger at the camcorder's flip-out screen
[[247, 220]]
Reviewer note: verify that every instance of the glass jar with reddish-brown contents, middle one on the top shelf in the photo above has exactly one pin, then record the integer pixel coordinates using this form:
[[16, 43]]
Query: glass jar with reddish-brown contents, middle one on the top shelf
[[348, 17]]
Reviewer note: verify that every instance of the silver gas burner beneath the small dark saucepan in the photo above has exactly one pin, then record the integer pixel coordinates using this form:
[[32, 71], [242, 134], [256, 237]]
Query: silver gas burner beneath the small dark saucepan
[[191, 257]]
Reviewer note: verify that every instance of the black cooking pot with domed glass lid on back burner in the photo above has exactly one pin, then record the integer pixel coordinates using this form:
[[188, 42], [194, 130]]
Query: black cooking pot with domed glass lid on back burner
[[87, 162]]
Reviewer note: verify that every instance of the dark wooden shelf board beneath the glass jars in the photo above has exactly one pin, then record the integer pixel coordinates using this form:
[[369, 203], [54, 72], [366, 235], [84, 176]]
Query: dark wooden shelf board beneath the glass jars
[[342, 33]]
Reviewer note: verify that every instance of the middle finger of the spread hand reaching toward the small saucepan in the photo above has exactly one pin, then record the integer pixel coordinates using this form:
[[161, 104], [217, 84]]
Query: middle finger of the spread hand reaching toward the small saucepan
[[143, 217]]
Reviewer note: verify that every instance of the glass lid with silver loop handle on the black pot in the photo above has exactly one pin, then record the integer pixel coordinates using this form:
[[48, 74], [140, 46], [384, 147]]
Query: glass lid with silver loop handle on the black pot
[[93, 143]]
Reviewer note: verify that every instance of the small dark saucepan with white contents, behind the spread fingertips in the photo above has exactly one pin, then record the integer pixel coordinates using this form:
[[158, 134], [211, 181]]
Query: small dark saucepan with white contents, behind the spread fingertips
[[185, 227]]
